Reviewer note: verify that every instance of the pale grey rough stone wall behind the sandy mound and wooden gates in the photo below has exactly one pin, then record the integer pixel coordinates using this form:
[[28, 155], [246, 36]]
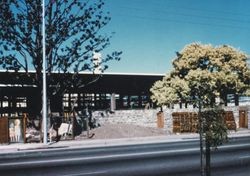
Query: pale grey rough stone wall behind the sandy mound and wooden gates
[[148, 117]]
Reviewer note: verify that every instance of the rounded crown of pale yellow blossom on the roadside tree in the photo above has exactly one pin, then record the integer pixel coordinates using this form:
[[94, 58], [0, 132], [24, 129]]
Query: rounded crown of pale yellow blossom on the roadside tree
[[204, 72]]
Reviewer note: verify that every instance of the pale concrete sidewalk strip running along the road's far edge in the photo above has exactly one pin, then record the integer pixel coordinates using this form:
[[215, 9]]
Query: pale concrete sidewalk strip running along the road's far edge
[[90, 143]]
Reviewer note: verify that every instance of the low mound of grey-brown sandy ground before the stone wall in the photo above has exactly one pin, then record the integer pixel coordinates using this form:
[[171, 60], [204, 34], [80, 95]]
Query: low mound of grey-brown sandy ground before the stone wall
[[121, 130]]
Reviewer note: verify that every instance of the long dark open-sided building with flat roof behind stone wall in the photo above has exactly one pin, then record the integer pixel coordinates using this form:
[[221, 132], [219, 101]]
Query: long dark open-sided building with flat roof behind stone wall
[[19, 98]]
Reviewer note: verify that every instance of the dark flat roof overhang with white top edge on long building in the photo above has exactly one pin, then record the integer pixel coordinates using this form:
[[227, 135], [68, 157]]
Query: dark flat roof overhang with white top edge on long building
[[120, 83]]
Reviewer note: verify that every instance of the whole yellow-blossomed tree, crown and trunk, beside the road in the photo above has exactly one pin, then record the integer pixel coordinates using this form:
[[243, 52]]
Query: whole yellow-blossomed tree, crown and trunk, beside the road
[[202, 73]]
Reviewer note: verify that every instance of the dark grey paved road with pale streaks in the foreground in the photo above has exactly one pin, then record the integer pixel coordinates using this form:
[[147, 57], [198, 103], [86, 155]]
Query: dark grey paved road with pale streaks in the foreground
[[175, 158]]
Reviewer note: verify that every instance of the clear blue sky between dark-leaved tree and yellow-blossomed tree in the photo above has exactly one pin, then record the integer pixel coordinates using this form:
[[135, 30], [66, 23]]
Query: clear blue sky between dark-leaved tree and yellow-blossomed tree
[[149, 32]]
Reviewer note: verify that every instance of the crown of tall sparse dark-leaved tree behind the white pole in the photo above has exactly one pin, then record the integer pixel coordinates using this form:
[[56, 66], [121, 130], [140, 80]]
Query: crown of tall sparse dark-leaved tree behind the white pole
[[73, 33]]
